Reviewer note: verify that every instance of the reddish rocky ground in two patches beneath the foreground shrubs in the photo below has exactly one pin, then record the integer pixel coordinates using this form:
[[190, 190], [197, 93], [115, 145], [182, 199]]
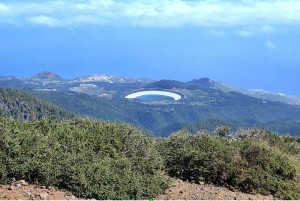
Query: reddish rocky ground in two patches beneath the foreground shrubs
[[179, 191]]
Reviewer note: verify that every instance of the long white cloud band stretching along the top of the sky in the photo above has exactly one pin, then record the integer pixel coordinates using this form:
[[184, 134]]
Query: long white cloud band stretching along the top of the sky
[[163, 13]]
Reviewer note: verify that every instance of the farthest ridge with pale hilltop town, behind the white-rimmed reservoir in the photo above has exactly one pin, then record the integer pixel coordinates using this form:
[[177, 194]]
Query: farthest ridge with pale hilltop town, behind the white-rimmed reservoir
[[56, 82]]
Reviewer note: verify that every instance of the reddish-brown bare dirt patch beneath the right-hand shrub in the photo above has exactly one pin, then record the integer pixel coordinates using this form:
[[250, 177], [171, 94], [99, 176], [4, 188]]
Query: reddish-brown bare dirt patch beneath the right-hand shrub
[[188, 191]]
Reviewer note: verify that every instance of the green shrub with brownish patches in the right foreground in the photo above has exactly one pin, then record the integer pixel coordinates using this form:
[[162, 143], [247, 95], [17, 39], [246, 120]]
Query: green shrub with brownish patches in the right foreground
[[255, 161]]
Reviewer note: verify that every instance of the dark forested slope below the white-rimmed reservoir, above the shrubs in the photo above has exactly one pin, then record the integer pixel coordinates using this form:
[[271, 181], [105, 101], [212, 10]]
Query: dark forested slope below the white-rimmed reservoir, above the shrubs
[[161, 120]]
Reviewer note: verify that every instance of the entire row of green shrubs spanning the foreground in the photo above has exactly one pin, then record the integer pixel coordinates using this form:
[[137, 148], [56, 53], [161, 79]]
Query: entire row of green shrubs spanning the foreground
[[106, 160]]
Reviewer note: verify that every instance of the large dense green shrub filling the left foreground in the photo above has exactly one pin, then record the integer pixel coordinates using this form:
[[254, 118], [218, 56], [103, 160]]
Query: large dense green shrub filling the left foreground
[[93, 159]]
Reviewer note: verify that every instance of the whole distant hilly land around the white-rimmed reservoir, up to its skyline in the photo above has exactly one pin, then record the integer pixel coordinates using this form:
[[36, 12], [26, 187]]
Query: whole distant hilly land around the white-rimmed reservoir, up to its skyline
[[103, 96]]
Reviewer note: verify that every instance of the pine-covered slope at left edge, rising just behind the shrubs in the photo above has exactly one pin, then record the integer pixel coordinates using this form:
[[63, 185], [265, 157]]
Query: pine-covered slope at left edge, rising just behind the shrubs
[[21, 105]]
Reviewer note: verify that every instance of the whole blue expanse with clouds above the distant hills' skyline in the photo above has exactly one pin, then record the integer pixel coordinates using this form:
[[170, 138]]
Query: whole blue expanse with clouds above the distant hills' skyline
[[252, 44]]
